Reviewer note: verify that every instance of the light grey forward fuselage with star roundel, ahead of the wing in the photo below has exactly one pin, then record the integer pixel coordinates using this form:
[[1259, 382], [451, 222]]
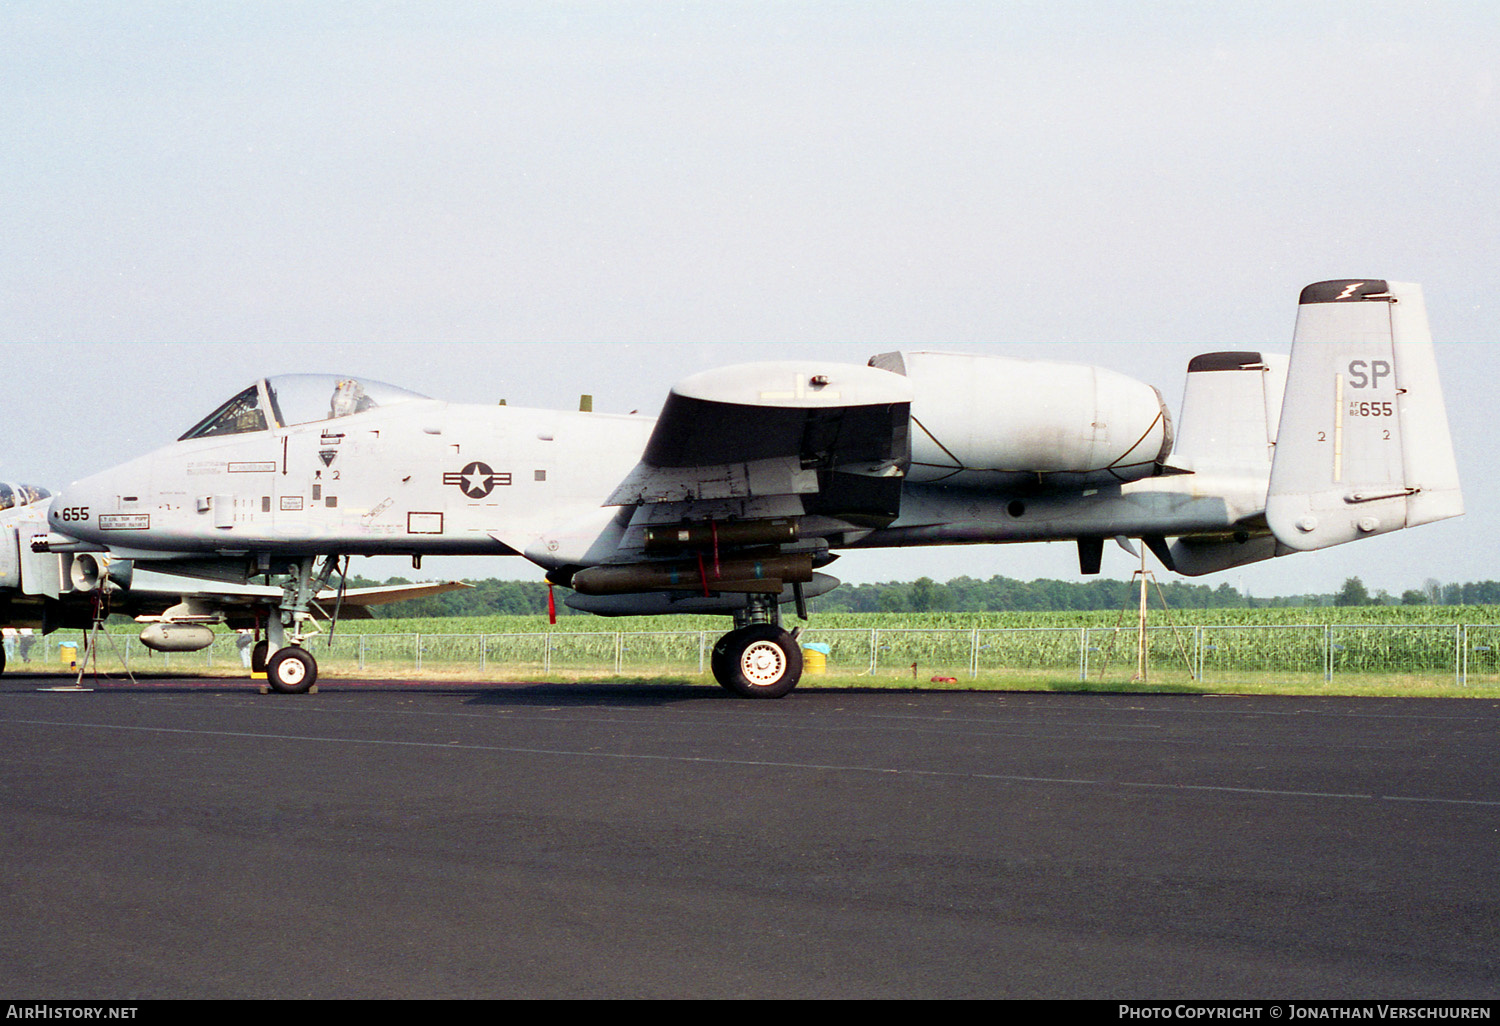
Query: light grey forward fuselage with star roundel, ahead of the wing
[[419, 478]]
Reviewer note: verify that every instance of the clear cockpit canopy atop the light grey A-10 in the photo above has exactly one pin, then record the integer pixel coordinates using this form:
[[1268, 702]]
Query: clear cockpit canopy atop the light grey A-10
[[298, 400]]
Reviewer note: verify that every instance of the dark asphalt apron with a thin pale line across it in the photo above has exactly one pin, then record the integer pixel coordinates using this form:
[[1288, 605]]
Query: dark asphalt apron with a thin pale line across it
[[491, 841]]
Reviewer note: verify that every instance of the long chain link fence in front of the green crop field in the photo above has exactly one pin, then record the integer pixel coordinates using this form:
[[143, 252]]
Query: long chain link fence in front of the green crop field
[[1282, 655]]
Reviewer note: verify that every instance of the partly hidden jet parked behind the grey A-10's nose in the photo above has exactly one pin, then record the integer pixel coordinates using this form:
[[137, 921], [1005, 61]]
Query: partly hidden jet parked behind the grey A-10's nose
[[56, 590]]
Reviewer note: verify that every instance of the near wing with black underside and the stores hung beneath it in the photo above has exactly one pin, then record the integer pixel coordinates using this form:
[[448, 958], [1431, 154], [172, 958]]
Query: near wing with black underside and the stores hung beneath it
[[751, 473]]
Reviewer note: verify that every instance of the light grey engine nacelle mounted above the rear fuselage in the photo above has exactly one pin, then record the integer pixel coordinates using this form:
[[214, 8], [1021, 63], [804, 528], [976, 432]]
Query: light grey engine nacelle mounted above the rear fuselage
[[1003, 424]]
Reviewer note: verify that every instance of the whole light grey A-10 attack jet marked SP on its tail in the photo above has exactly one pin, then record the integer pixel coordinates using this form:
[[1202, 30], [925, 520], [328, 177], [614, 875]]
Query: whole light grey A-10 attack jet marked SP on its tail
[[754, 476]]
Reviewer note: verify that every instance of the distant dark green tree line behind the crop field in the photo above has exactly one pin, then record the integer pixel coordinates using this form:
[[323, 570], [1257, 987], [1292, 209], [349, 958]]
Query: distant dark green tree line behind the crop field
[[964, 595]]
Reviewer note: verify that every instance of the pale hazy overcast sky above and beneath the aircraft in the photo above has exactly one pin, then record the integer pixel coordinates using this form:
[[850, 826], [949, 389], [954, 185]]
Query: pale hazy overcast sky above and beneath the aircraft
[[625, 185]]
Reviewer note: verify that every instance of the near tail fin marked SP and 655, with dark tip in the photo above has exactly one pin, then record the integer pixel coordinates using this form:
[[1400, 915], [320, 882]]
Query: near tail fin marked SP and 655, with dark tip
[[1364, 445]]
